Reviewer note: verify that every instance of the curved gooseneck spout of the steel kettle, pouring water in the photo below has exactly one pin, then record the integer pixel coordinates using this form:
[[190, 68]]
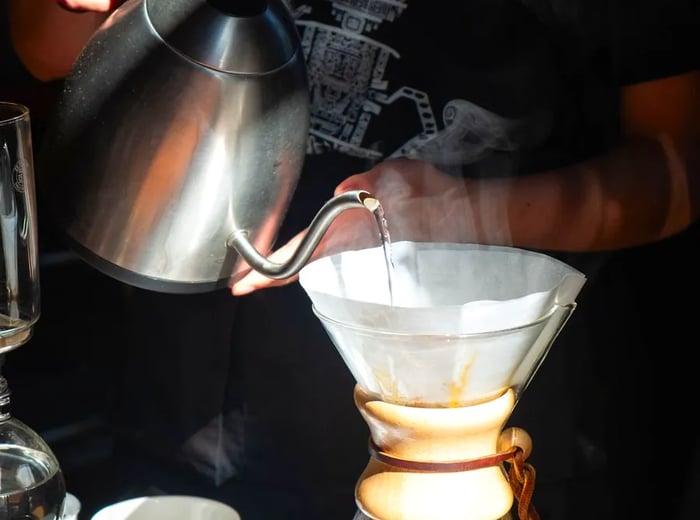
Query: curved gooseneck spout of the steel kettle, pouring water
[[319, 225]]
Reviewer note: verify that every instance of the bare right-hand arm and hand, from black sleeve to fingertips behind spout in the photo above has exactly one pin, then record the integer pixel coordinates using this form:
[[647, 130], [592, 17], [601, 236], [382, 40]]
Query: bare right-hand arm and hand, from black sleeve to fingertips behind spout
[[645, 190]]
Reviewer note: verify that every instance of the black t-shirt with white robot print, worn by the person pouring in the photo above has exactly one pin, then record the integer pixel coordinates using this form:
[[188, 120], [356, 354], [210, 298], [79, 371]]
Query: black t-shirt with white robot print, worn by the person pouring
[[469, 84]]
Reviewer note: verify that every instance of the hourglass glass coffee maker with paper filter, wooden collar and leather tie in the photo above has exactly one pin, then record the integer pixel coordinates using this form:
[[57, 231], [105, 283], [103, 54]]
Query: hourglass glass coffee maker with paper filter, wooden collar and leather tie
[[440, 356]]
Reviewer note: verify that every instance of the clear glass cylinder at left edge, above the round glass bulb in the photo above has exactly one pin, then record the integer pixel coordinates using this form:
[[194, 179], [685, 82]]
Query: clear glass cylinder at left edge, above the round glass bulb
[[19, 272]]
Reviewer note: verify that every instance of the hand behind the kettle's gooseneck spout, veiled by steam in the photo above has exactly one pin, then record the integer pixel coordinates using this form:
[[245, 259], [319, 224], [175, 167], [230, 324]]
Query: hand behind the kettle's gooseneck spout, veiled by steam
[[420, 203]]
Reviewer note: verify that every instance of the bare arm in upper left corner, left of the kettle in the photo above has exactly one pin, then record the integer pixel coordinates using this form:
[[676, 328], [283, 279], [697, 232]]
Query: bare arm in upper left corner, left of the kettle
[[48, 38]]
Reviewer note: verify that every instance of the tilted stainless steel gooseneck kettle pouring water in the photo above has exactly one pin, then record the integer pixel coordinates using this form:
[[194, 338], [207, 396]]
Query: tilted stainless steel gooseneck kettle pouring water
[[178, 141]]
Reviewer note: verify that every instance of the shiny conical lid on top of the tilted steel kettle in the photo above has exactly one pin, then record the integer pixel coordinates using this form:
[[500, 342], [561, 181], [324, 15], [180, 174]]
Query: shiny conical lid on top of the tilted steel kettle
[[262, 32]]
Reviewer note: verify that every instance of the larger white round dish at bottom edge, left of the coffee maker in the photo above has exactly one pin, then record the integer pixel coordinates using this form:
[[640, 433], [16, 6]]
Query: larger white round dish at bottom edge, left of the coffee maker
[[170, 507]]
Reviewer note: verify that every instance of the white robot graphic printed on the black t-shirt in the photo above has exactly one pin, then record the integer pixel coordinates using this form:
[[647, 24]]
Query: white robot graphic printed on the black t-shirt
[[346, 68]]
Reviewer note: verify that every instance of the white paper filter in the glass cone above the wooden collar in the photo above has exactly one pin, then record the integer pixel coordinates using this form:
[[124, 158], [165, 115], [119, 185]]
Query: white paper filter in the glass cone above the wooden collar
[[468, 321]]
